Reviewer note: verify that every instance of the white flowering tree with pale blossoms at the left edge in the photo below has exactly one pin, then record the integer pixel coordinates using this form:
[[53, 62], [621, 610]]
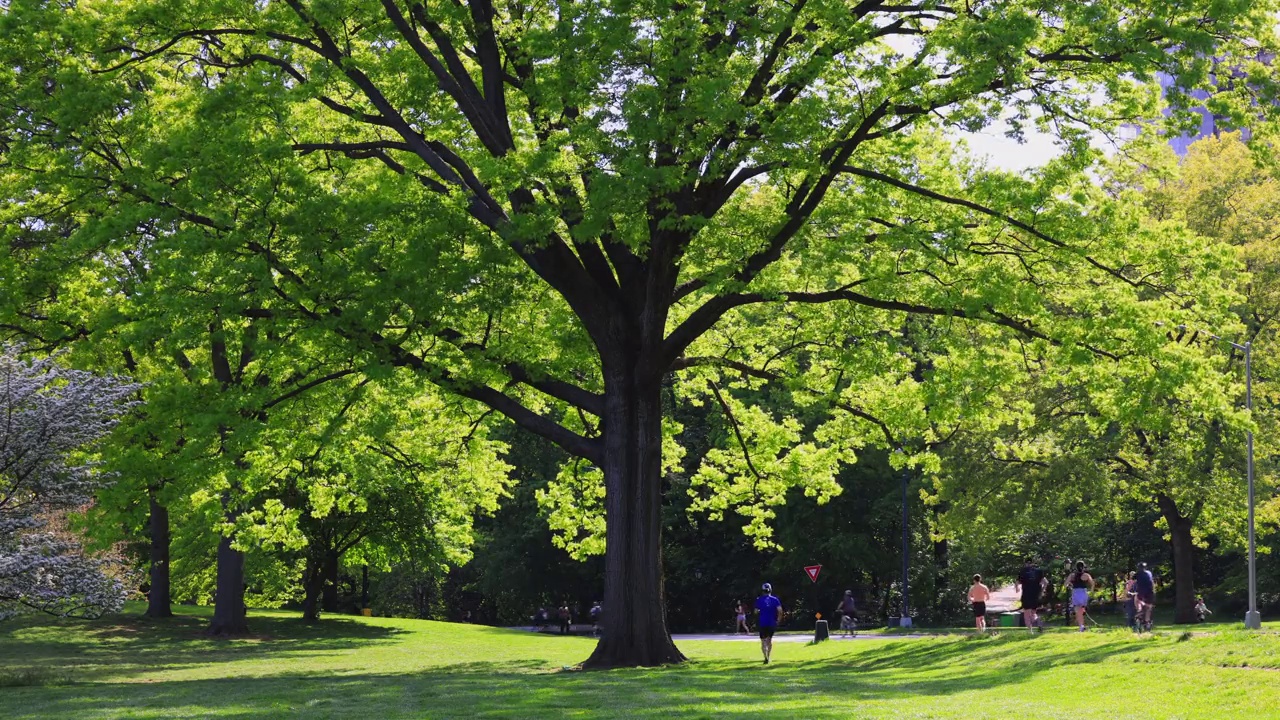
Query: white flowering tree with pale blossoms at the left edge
[[51, 417]]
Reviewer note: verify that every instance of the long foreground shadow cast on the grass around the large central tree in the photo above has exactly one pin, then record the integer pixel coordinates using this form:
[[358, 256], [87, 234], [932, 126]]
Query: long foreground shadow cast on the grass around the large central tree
[[720, 689]]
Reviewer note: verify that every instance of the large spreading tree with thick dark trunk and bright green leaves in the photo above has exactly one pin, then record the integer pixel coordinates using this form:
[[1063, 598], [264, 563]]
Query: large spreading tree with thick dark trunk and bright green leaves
[[548, 209]]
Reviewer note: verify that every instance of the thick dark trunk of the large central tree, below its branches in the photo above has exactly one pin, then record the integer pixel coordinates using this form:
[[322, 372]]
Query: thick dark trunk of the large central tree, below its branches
[[634, 628]]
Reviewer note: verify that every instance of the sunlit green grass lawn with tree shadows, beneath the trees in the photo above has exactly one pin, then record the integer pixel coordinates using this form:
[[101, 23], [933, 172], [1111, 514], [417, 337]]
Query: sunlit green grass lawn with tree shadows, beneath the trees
[[382, 669]]
